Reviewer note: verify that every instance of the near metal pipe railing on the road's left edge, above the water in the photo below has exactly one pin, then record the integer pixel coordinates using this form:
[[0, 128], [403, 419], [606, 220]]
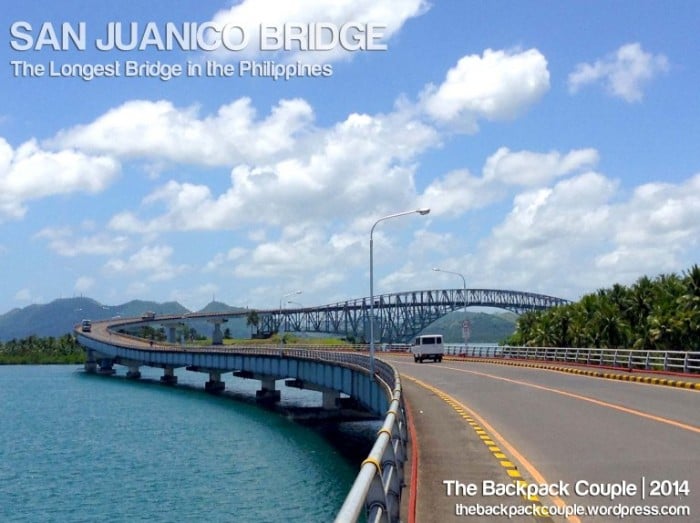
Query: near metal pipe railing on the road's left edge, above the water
[[376, 492]]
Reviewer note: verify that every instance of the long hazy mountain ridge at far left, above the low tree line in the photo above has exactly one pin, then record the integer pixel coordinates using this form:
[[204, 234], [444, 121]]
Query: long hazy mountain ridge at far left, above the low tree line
[[58, 317]]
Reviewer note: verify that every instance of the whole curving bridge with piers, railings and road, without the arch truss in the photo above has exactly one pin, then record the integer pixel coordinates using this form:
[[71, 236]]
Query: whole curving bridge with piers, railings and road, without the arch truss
[[601, 424]]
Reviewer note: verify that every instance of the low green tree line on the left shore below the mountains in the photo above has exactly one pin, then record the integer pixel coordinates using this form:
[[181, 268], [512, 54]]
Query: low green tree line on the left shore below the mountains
[[47, 350]]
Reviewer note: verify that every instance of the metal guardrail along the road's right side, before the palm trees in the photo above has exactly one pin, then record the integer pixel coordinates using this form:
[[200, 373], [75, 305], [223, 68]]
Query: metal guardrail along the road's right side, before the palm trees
[[629, 359]]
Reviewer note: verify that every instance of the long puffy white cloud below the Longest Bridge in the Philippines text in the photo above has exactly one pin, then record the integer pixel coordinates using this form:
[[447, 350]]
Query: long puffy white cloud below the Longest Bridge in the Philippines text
[[160, 131]]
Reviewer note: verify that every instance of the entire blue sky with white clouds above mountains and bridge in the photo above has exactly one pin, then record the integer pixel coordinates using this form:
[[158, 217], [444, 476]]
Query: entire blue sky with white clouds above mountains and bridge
[[555, 143]]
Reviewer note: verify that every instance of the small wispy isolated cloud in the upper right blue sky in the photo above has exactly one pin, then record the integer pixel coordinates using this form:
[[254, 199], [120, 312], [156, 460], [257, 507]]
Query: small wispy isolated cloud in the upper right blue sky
[[623, 73]]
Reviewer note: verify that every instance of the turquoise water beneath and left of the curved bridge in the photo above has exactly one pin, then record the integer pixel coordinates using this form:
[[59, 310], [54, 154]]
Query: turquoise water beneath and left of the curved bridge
[[76, 447]]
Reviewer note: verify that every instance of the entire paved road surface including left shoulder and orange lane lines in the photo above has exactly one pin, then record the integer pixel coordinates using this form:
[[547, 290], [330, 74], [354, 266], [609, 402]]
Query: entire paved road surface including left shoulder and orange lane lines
[[562, 426]]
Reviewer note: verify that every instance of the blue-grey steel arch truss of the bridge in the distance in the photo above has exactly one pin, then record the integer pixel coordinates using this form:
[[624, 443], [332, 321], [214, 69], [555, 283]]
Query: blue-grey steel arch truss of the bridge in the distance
[[399, 316]]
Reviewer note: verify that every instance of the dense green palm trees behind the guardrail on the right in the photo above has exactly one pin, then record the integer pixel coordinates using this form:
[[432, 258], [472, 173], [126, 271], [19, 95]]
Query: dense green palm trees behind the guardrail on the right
[[662, 313]]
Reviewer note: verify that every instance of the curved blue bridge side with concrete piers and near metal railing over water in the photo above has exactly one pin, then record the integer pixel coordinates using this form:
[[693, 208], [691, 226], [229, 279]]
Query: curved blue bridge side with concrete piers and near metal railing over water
[[376, 492]]
